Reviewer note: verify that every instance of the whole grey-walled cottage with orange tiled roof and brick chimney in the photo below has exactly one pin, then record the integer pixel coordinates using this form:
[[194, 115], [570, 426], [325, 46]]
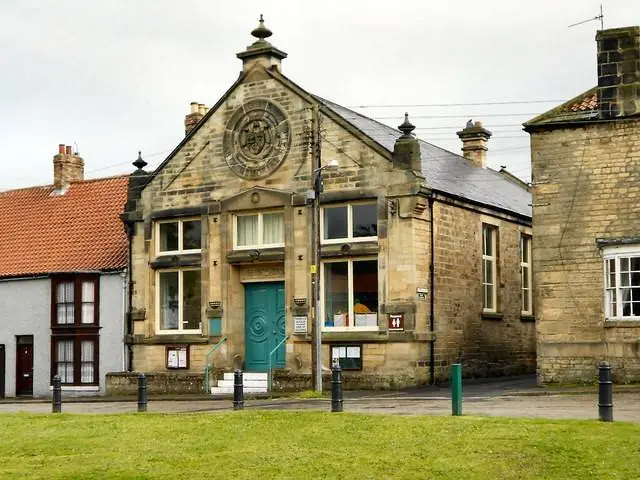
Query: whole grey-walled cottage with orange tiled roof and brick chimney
[[62, 282]]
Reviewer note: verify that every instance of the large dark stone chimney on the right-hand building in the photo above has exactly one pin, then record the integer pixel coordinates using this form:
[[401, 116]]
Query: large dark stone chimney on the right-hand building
[[618, 72]]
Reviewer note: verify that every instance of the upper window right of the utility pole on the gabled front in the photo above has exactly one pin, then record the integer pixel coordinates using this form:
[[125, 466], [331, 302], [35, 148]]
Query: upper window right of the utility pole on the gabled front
[[349, 223]]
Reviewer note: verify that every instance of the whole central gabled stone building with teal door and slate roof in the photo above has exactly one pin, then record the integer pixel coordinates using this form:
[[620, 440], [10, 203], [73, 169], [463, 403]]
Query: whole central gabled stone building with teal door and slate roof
[[420, 249]]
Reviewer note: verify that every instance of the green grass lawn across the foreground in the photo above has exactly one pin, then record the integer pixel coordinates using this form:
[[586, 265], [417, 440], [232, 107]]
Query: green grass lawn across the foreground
[[262, 445]]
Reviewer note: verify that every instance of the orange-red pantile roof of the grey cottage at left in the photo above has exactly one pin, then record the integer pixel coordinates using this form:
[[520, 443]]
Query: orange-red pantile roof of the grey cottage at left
[[80, 230]]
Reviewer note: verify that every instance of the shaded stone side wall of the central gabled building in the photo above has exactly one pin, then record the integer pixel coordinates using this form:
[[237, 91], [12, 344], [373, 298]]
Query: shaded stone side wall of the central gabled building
[[486, 345]]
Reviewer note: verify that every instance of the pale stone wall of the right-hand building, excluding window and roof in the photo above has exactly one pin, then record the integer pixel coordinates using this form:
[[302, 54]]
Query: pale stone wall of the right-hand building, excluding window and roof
[[586, 186]]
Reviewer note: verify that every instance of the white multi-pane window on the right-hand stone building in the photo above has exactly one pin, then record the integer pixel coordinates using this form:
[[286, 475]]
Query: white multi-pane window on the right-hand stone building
[[622, 282]]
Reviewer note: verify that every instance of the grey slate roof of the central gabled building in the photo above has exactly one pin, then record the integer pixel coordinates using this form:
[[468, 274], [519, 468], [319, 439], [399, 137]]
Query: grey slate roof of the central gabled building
[[446, 171]]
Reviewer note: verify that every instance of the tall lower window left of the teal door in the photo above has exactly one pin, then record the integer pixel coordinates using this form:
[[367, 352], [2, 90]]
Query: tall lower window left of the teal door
[[179, 301]]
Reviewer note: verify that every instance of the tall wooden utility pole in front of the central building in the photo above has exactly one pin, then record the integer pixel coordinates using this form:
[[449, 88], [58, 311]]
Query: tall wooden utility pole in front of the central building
[[316, 178]]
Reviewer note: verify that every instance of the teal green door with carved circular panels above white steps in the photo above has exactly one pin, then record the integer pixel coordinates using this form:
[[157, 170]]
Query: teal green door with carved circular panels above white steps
[[264, 325]]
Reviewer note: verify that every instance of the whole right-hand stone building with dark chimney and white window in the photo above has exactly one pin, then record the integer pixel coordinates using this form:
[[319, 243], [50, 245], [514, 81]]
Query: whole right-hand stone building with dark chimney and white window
[[586, 221]]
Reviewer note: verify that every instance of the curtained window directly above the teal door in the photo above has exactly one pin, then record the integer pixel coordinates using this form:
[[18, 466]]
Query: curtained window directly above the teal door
[[259, 230]]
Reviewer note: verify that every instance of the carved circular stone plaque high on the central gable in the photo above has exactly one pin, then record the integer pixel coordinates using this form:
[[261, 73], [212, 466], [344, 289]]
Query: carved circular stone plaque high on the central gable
[[256, 139]]
